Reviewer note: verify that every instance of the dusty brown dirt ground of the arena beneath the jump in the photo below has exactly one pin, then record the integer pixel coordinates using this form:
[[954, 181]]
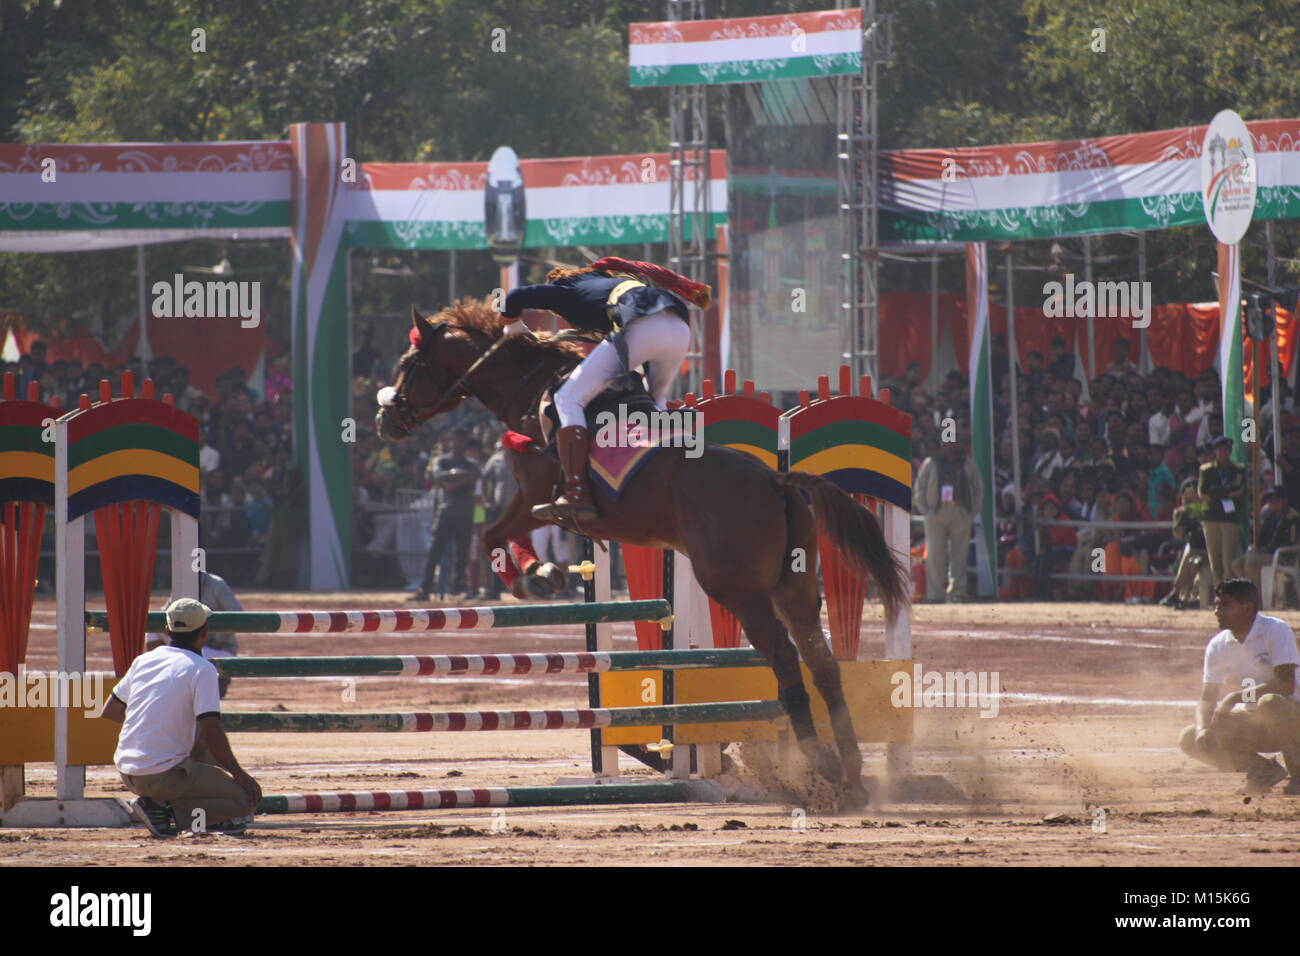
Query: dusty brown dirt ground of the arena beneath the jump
[[1094, 698]]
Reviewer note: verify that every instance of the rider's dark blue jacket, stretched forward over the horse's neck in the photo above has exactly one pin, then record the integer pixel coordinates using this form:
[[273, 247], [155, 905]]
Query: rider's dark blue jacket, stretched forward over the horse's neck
[[583, 301]]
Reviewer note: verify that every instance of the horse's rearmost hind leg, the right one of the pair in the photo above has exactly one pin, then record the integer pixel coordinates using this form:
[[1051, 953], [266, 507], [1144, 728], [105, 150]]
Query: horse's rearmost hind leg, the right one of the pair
[[800, 607]]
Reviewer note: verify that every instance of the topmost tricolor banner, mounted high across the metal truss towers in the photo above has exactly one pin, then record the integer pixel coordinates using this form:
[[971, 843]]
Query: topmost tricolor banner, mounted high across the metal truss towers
[[747, 50]]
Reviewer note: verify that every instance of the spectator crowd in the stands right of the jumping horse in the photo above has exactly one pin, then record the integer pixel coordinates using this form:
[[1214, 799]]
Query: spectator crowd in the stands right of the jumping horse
[[1138, 449]]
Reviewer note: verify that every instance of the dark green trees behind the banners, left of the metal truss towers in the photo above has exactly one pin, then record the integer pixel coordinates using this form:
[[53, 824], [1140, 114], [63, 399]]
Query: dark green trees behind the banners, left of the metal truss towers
[[413, 81]]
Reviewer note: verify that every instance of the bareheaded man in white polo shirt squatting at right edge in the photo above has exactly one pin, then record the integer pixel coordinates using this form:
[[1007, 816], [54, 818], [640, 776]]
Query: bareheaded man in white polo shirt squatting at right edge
[[1250, 704]]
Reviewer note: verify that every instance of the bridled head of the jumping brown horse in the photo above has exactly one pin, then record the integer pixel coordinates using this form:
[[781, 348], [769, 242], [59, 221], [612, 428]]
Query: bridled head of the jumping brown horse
[[430, 378]]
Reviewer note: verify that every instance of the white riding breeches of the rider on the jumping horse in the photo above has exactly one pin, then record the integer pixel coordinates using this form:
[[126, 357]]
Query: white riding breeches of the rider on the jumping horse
[[661, 339]]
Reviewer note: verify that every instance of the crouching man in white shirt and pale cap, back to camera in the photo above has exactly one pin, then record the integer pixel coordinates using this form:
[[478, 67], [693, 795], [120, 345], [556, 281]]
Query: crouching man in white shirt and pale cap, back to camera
[[172, 751]]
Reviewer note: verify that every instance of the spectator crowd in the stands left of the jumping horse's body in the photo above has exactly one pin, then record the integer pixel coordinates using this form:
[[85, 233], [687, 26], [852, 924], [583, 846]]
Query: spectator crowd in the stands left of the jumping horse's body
[[254, 501]]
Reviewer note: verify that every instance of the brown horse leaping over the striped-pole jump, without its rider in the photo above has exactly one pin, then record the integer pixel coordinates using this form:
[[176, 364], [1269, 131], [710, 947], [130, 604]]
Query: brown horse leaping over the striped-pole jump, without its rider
[[744, 526]]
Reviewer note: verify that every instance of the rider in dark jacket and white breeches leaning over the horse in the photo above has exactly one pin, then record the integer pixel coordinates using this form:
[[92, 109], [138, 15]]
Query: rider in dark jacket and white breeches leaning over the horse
[[643, 312]]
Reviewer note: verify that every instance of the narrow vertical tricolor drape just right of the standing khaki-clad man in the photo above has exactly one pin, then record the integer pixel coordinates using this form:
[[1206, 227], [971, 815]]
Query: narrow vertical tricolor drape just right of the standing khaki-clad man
[[982, 409]]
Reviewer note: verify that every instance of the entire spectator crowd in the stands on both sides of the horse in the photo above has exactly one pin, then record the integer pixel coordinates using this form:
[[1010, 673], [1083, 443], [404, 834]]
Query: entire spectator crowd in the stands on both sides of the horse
[[1138, 464]]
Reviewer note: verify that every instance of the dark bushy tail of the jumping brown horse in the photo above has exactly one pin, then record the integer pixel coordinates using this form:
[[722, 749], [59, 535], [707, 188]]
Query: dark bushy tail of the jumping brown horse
[[857, 535]]
